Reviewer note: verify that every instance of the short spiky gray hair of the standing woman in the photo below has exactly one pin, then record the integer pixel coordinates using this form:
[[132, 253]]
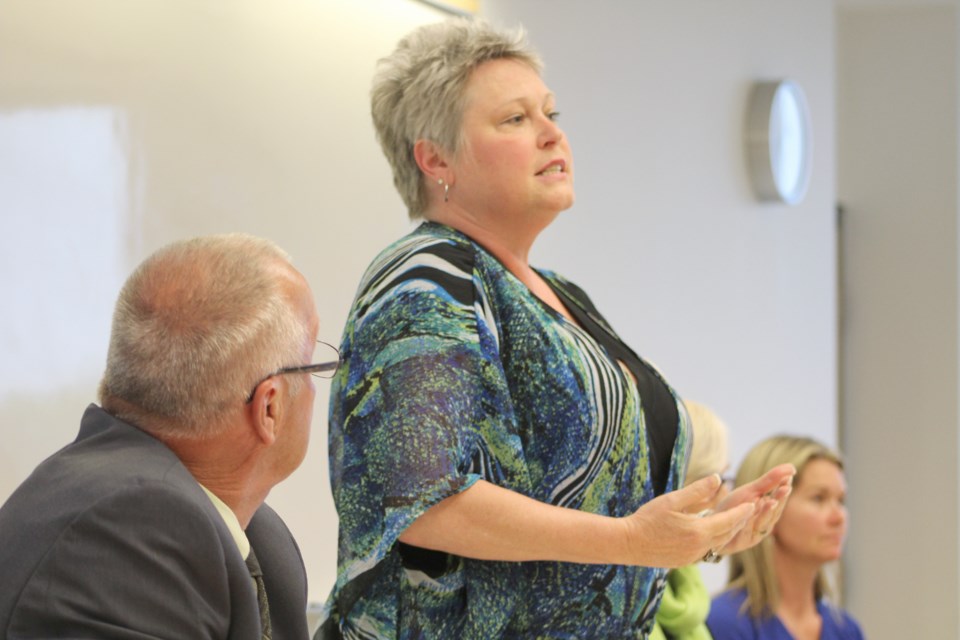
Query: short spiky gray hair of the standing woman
[[418, 92]]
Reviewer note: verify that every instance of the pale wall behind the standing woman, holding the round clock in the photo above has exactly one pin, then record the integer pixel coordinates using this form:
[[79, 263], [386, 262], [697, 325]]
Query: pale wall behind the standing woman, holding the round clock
[[148, 121]]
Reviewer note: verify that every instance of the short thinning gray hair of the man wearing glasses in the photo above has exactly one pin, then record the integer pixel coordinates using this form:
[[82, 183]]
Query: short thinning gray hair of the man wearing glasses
[[196, 326]]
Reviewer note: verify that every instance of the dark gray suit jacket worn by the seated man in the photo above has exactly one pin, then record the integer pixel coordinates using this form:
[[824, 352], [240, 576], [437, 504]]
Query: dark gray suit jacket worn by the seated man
[[111, 537]]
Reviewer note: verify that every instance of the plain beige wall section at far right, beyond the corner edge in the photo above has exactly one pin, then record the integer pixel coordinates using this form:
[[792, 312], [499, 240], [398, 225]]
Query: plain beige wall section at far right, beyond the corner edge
[[898, 112]]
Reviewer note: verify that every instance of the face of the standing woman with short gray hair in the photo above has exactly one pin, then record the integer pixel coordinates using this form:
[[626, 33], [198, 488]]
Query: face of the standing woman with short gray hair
[[514, 163]]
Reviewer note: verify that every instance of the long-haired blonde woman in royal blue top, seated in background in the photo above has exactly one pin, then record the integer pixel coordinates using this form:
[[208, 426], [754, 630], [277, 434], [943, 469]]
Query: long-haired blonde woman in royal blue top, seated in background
[[779, 590]]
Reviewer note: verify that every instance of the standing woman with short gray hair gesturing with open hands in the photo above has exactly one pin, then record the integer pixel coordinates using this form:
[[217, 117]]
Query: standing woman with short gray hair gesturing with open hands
[[503, 465]]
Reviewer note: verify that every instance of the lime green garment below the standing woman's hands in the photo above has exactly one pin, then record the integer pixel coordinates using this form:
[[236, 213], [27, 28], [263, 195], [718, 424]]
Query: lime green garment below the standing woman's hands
[[683, 610]]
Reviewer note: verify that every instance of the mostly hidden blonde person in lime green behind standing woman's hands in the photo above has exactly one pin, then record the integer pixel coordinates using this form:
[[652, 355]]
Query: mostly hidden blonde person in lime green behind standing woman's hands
[[686, 602]]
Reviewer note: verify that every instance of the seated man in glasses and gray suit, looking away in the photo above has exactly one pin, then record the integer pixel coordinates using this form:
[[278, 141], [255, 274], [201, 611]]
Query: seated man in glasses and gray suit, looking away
[[152, 523]]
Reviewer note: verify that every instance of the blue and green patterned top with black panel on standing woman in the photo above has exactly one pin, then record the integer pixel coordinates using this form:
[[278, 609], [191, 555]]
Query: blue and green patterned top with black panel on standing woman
[[455, 372]]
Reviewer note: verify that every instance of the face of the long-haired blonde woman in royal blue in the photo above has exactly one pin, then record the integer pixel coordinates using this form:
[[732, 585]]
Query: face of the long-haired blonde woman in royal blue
[[814, 522]]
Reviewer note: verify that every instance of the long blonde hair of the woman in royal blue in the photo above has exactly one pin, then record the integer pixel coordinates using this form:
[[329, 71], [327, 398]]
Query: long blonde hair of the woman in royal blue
[[753, 569]]
